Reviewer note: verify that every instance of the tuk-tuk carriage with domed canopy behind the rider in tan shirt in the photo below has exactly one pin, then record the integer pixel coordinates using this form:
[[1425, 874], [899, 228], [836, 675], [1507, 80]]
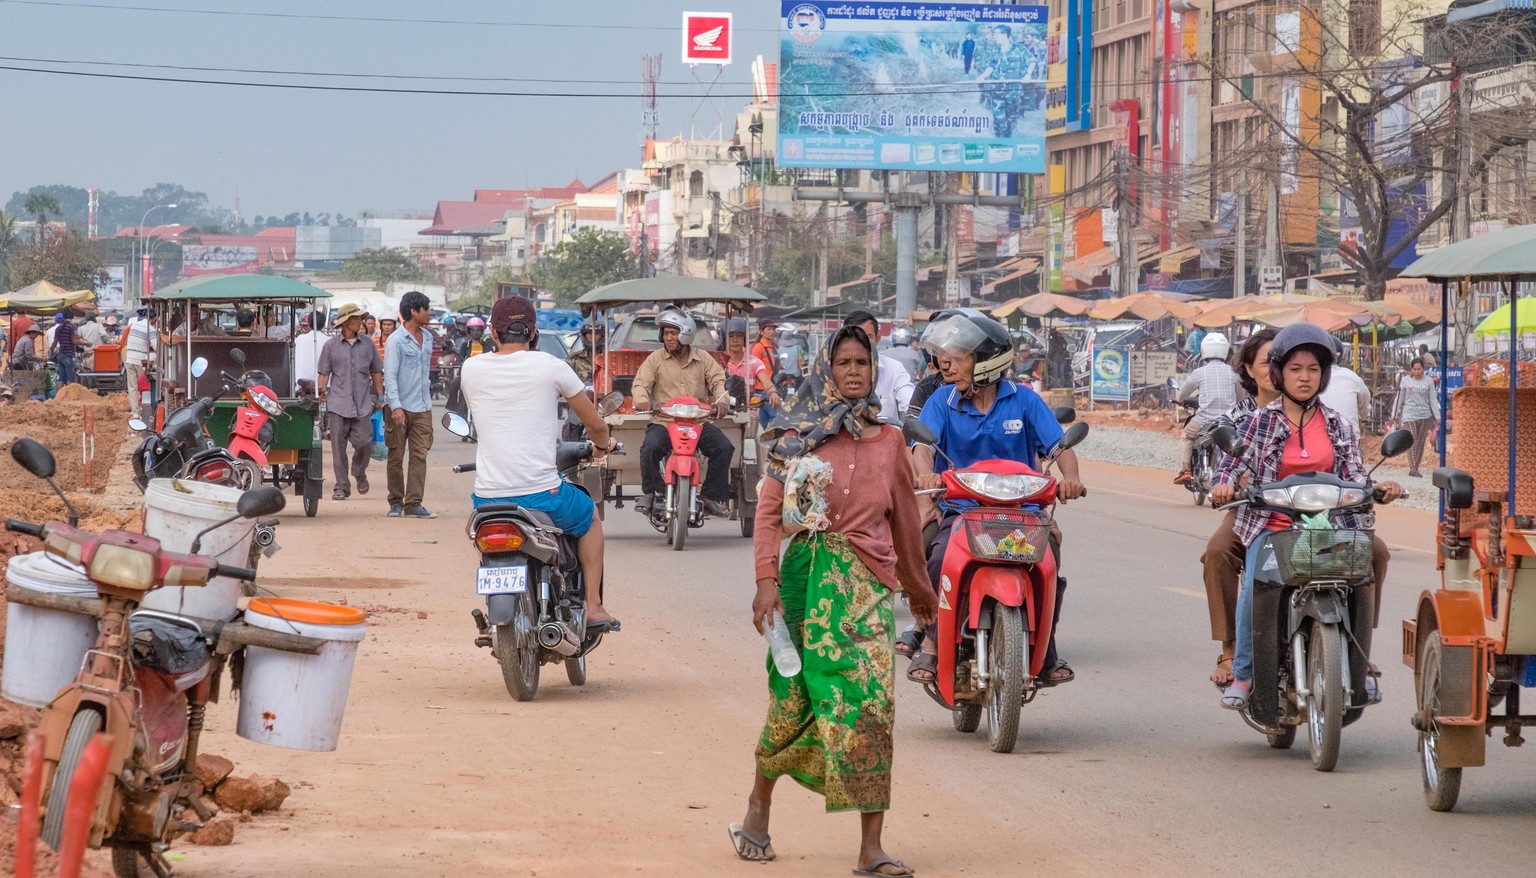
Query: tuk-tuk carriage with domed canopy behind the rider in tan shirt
[[618, 480]]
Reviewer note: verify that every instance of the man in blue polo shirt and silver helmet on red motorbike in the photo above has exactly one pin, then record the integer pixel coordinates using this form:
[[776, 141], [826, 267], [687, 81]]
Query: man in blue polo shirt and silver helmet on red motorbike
[[982, 417]]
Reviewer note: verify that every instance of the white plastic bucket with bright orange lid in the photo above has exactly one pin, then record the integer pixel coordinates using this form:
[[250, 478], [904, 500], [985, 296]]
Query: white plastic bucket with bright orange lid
[[291, 699]]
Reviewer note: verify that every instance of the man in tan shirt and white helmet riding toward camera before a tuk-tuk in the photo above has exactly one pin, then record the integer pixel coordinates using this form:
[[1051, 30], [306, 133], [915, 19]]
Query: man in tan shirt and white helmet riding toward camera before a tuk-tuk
[[680, 369]]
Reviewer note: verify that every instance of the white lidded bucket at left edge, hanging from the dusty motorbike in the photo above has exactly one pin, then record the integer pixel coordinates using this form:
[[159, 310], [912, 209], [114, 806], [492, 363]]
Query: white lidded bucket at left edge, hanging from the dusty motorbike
[[44, 649]]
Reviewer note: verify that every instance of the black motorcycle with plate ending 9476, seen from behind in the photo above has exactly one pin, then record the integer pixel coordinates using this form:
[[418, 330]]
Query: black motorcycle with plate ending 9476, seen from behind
[[532, 581]]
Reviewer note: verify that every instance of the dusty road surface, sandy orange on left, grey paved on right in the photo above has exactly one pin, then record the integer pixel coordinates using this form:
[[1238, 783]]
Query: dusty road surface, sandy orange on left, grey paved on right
[[1133, 770]]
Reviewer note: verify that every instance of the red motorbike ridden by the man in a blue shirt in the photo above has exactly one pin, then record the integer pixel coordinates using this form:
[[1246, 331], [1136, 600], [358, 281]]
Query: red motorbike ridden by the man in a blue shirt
[[998, 590]]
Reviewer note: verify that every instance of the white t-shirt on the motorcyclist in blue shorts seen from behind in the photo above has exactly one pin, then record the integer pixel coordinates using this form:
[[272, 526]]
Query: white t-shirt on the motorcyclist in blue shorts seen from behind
[[514, 400]]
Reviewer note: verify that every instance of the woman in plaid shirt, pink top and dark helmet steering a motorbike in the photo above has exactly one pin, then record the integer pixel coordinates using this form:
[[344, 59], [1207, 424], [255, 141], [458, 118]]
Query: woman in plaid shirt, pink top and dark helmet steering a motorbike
[[1293, 435]]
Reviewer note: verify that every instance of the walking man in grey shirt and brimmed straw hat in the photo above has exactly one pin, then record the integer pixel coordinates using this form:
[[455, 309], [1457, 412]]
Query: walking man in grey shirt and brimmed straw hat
[[351, 385]]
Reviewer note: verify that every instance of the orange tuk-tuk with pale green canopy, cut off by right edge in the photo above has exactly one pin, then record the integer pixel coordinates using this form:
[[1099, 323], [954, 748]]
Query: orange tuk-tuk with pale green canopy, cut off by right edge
[[1472, 642]]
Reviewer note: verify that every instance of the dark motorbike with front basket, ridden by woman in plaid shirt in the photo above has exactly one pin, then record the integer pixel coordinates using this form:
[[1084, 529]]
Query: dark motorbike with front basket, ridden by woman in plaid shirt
[[1314, 607]]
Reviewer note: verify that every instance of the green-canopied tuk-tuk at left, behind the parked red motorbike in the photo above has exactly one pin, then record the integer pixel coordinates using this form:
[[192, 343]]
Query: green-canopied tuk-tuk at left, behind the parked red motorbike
[[296, 457]]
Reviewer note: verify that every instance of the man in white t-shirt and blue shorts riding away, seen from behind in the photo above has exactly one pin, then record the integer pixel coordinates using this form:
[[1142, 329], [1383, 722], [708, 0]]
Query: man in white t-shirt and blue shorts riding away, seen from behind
[[514, 398]]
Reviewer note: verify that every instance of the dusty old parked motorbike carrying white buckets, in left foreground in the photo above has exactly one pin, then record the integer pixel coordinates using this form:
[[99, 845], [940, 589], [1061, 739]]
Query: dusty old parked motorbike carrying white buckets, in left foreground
[[147, 682]]
